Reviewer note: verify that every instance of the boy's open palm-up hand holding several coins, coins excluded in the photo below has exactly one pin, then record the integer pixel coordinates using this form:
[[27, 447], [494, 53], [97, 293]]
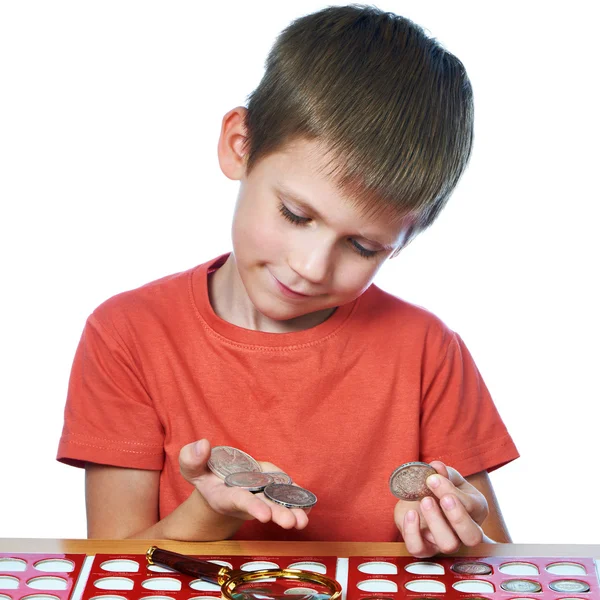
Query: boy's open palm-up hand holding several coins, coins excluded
[[234, 502]]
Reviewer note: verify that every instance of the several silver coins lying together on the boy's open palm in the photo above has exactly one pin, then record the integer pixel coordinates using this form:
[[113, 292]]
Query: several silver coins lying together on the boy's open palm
[[239, 469]]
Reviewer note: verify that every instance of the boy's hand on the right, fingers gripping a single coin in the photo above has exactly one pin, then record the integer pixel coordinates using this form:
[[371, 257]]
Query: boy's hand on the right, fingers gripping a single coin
[[443, 523]]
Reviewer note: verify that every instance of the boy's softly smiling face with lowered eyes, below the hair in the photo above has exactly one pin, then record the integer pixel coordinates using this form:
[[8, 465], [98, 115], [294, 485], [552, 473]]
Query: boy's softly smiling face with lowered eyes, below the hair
[[300, 246]]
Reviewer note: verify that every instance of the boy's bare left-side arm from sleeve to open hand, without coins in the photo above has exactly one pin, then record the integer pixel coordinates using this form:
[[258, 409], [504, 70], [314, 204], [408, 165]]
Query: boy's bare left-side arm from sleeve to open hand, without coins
[[123, 503]]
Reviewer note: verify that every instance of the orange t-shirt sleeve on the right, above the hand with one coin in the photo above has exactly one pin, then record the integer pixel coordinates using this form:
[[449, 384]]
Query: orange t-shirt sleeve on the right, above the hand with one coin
[[460, 424]]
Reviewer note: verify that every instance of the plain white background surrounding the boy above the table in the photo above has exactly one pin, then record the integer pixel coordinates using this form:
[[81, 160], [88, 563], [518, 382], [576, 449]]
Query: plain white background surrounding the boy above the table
[[109, 117]]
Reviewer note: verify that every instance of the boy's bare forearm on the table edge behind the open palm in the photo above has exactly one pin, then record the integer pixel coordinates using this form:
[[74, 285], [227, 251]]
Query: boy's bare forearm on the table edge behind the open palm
[[193, 521]]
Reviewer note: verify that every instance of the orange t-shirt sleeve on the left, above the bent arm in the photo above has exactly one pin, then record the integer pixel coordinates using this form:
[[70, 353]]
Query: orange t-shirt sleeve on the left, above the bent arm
[[109, 417]]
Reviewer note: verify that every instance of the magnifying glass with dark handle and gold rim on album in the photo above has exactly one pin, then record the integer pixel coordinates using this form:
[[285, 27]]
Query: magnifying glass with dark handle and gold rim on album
[[266, 584]]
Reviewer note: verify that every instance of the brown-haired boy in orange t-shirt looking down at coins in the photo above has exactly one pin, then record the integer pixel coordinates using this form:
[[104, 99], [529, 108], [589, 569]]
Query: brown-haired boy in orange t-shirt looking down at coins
[[349, 147]]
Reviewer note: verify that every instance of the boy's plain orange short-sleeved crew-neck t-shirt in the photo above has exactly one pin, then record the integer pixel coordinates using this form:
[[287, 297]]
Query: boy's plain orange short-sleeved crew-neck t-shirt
[[338, 406]]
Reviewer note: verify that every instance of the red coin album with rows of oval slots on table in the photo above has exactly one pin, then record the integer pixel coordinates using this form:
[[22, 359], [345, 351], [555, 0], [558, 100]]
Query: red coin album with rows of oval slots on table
[[43, 576]]
